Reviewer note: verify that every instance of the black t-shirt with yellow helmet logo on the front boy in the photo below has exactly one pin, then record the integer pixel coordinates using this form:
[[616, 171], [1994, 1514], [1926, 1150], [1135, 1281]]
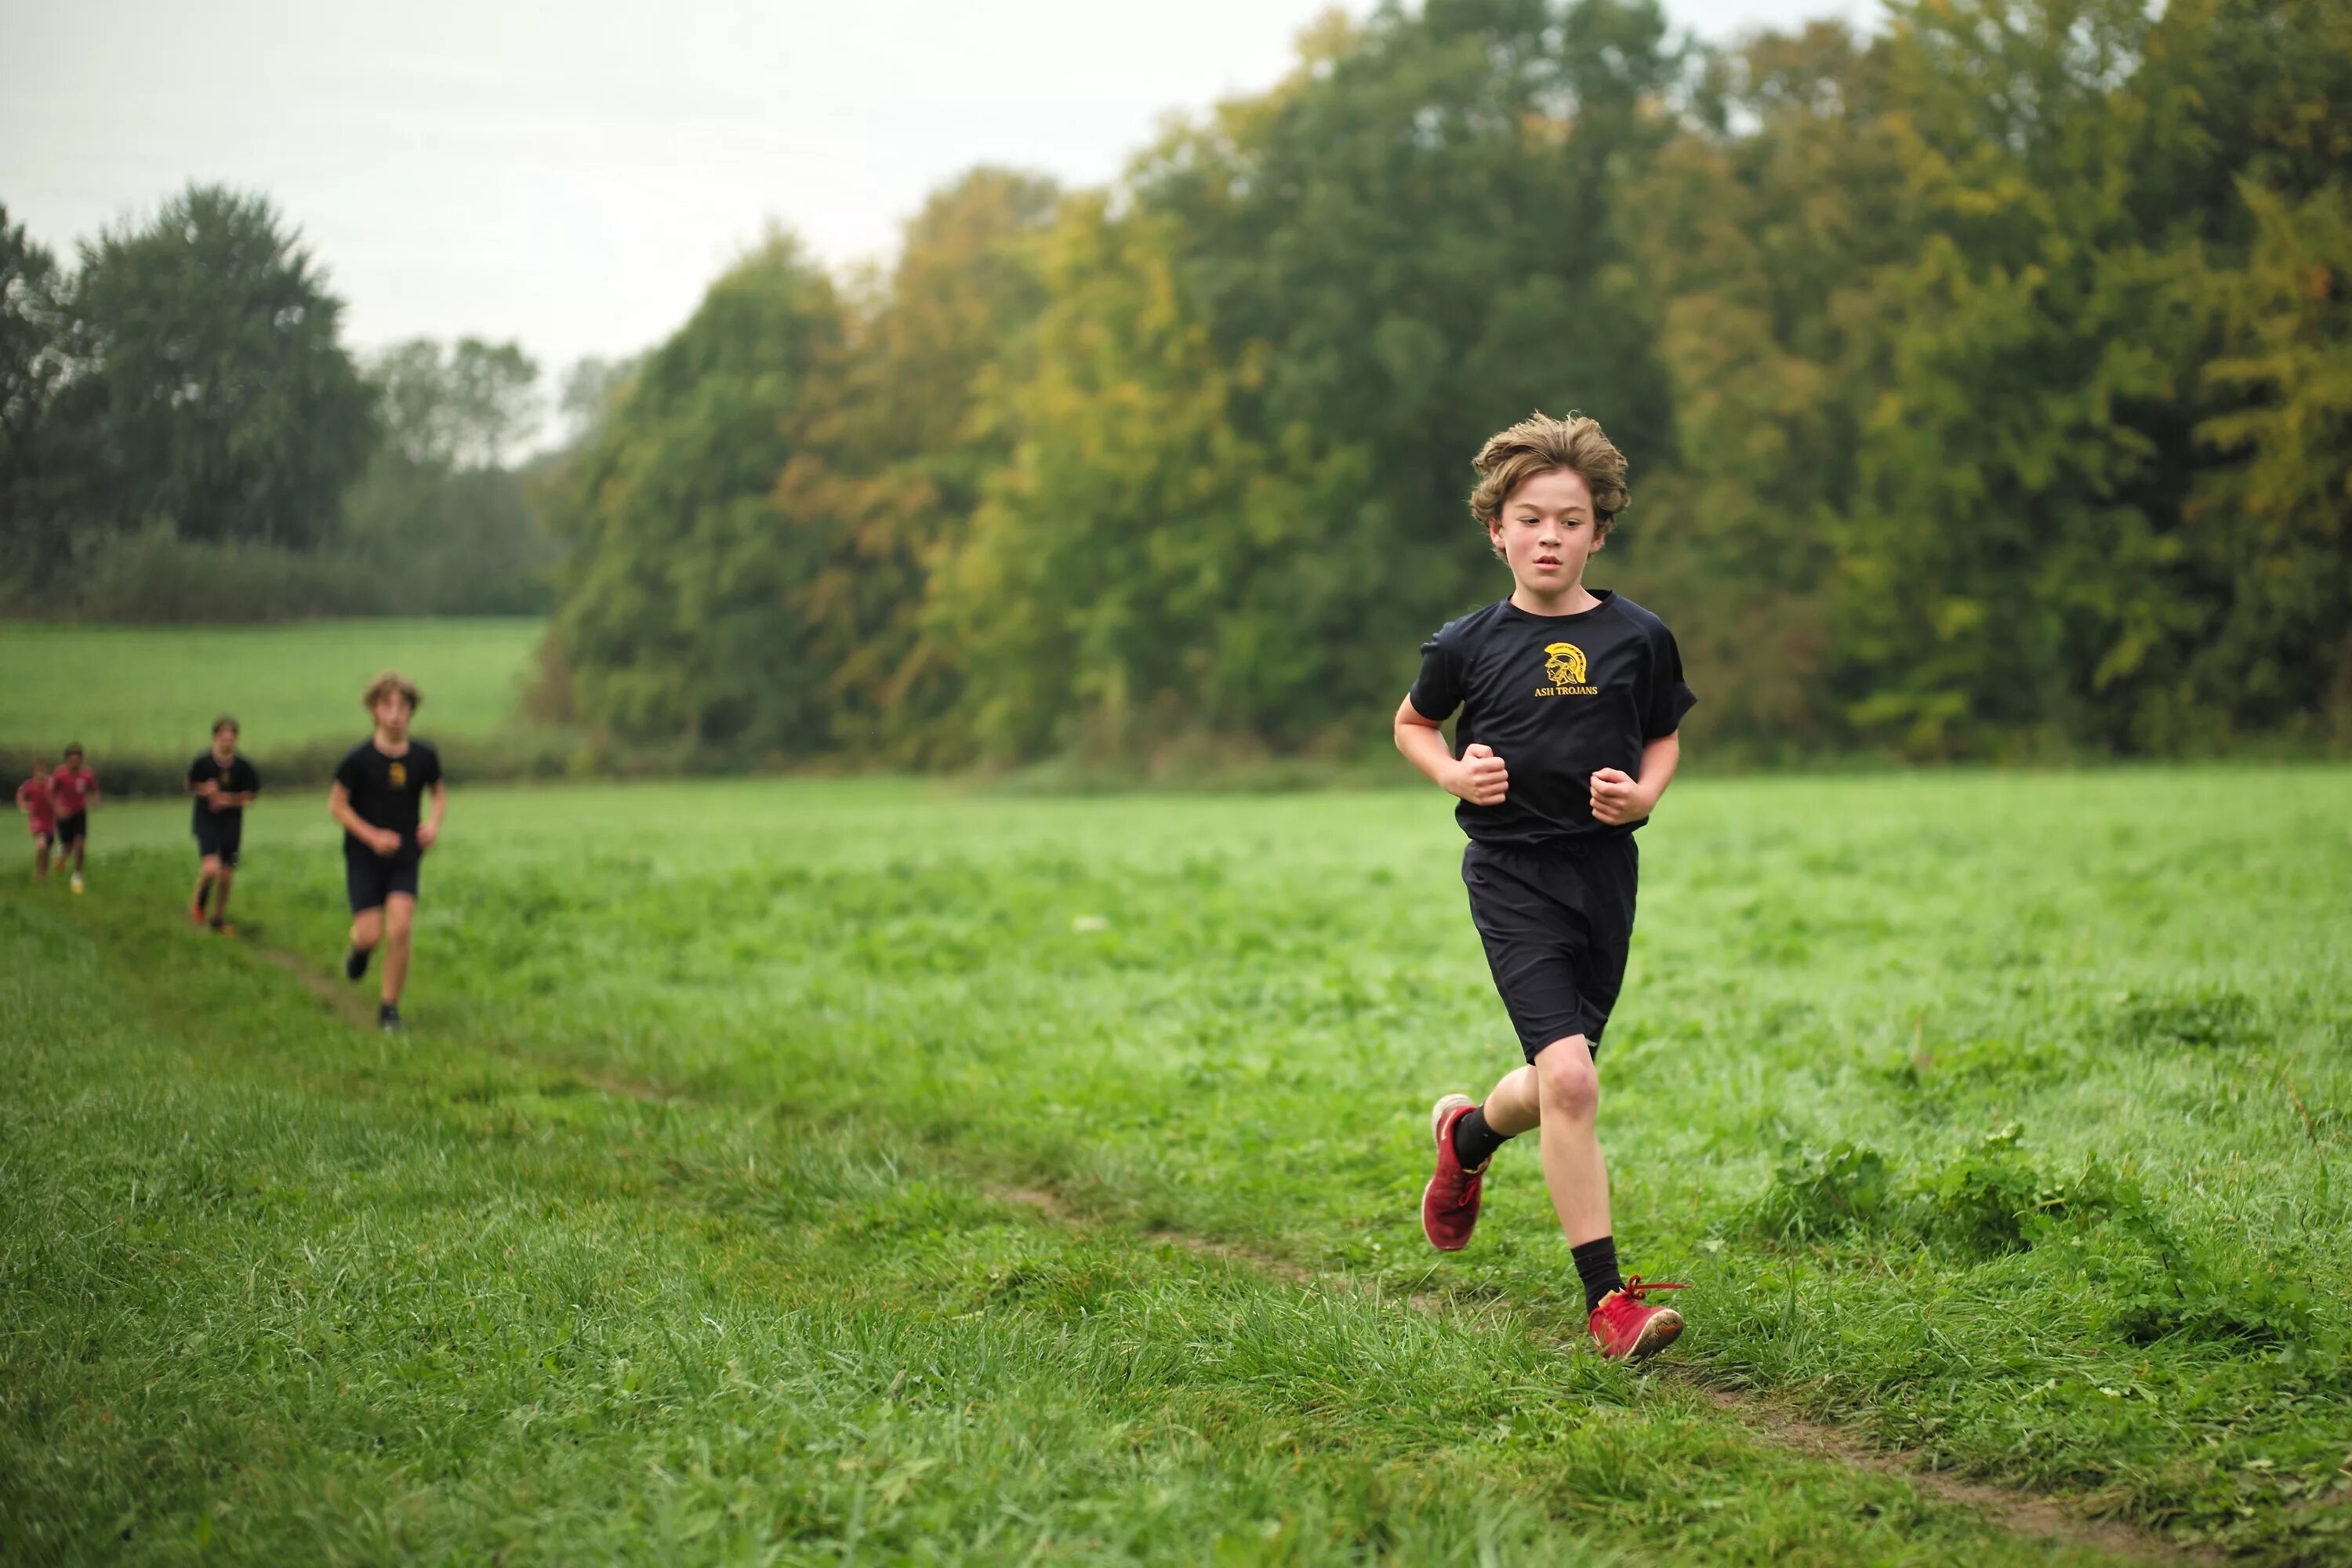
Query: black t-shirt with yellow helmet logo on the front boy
[[1558, 699]]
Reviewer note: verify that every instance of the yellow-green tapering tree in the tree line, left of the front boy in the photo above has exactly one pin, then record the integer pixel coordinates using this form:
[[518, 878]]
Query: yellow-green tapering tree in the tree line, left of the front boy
[[1142, 570]]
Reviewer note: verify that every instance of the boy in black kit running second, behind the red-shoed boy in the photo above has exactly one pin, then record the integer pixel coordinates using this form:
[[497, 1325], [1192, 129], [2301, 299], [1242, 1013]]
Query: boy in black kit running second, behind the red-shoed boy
[[377, 791]]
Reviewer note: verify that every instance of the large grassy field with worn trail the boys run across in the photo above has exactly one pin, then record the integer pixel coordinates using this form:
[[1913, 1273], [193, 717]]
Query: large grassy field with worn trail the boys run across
[[838, 1172]]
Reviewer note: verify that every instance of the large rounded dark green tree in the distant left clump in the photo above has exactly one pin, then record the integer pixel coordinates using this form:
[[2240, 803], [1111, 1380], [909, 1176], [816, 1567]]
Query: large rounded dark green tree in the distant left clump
[[213, 373]]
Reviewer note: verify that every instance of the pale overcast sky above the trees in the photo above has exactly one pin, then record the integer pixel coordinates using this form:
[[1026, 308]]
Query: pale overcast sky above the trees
[[575, 173]]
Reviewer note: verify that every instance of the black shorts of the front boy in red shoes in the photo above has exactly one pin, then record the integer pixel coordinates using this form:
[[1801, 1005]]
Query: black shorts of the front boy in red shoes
[[1556, 925]]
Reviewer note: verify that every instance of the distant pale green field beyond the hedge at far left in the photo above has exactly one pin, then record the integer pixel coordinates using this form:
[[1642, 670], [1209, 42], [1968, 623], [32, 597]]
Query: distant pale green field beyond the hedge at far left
[[154, 690]]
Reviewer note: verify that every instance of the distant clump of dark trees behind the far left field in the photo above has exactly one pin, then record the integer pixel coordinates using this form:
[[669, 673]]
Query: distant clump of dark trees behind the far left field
[[185, 436]]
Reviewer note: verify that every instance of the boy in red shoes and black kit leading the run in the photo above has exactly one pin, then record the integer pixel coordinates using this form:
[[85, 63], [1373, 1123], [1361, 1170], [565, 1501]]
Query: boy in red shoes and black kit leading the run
[[1570, 711]]
